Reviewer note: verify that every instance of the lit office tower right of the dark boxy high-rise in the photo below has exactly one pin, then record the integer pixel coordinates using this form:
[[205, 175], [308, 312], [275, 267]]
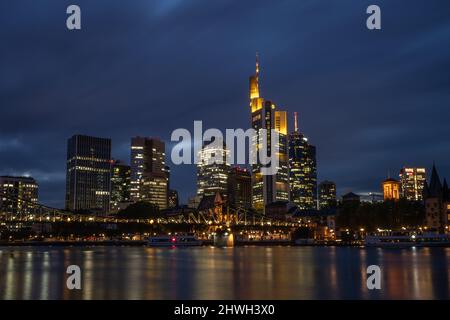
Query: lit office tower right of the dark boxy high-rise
[[148, 173]]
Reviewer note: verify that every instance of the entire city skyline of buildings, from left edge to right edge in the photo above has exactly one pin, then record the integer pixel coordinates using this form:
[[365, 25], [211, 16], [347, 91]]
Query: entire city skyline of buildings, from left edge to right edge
[[98, 184]]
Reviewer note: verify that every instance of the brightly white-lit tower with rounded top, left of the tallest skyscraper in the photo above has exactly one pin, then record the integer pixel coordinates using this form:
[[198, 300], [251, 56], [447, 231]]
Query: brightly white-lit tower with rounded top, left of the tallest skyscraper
[[212, 169]]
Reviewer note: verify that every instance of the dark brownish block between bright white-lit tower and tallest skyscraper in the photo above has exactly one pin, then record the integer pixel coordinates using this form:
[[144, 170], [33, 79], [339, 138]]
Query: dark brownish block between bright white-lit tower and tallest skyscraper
[[240, 188]]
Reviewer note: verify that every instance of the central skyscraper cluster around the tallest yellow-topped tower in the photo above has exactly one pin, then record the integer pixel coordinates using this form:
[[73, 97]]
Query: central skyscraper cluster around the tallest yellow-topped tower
[[295, 181]]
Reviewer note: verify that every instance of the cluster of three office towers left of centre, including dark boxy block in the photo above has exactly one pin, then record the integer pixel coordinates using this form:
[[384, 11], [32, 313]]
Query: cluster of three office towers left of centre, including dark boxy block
[[98, 184]]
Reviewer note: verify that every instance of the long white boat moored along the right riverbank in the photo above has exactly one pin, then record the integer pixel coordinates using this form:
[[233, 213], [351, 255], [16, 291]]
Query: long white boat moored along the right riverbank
[[407, 240]]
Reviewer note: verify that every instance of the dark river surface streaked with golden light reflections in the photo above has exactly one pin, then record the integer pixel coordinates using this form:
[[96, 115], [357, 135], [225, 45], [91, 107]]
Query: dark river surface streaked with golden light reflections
[[224, 273]]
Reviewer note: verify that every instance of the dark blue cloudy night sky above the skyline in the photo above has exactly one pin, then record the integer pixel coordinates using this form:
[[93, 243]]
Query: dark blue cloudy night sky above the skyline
[[371, 101]]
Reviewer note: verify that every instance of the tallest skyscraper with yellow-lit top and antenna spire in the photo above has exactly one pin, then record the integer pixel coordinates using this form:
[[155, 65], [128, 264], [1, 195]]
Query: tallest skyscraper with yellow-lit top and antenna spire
[[268, 188]]
